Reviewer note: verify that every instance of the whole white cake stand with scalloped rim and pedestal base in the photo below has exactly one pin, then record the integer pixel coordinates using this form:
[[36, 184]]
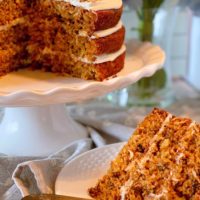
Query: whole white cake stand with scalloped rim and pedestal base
[[35, 122]]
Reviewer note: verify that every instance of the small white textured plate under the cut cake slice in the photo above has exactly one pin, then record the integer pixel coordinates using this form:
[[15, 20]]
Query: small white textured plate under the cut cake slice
[[84, 171]]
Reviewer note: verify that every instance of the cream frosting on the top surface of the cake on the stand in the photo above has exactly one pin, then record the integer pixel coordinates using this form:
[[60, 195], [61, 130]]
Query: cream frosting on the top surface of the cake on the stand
[[96, 5]]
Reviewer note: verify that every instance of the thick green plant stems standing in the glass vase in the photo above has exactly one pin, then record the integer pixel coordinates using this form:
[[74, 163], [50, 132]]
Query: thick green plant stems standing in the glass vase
[[146, 13]]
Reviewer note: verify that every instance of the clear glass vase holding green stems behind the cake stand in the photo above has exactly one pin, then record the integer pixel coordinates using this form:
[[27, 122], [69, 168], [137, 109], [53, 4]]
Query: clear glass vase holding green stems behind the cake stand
[[156, 26]]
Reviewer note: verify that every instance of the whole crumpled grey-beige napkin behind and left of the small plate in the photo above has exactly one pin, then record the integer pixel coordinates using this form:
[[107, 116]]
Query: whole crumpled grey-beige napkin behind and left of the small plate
[[39, 176]]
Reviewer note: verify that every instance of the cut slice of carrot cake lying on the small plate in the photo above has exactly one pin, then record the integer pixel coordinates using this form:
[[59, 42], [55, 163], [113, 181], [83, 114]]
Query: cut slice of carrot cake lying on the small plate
[[161, 161]]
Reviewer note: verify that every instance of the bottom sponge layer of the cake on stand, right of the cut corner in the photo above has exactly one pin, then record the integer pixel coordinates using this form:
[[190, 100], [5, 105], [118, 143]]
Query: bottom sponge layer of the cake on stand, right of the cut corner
[[58, 62]]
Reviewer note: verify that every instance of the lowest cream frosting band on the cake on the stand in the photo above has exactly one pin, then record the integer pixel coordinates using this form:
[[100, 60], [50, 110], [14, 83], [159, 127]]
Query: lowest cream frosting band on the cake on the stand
[[105, 57]]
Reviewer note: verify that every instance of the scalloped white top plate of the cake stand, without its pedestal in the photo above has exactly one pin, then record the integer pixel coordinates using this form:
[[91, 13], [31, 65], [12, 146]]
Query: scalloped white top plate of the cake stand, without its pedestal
[[25, 87]]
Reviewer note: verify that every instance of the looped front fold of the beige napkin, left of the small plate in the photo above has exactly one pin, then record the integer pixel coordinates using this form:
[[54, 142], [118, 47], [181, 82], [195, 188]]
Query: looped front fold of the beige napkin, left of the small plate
[[39, 176]]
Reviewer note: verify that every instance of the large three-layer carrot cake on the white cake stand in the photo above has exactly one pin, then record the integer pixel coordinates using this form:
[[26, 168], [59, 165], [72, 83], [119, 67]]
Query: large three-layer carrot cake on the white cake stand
[[83, 38]]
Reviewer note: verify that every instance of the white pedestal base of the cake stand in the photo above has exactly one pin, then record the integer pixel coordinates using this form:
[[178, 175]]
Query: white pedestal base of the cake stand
[[37, 131]]
